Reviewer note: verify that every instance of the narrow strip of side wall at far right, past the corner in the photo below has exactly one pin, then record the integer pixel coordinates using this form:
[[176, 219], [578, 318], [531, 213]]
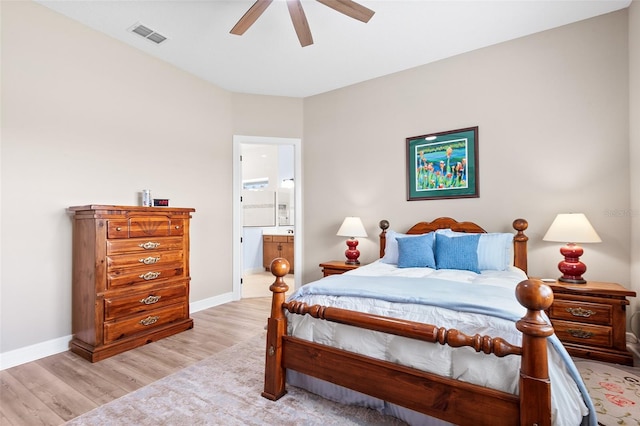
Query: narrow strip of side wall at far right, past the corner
[[634, 154]]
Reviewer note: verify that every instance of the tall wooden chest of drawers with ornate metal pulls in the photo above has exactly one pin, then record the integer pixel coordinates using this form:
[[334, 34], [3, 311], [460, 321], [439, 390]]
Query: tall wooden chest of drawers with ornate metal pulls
[[130, 277]]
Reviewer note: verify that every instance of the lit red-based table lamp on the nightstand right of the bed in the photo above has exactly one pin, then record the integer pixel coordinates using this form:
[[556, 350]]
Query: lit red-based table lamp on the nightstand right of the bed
[[573, 227]]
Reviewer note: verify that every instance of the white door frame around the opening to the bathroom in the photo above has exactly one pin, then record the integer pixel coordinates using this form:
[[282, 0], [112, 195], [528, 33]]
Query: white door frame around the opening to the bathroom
[[238, 141]]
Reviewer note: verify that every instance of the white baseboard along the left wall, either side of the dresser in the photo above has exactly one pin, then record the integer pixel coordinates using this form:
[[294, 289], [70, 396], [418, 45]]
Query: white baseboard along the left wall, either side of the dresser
[[55, 346]]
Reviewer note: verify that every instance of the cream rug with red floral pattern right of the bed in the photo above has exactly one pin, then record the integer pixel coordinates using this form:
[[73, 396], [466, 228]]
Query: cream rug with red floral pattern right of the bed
[[615, 392]]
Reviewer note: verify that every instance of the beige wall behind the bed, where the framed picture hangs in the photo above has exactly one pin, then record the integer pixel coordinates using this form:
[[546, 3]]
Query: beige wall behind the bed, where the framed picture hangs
[[552, 111]]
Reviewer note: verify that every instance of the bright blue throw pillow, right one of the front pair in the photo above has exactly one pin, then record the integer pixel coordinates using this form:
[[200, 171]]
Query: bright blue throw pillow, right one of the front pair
[[457, 252]]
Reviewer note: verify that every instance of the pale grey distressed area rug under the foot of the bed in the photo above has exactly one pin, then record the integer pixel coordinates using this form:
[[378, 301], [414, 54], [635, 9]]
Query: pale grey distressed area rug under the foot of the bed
[[224, 389]]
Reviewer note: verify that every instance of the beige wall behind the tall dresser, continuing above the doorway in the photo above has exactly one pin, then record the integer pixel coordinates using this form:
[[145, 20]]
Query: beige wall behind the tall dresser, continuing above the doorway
[[87, 119]]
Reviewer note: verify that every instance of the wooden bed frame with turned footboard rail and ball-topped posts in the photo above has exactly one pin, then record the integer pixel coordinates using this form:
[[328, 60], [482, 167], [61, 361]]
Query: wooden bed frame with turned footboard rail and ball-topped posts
[[445, 398]]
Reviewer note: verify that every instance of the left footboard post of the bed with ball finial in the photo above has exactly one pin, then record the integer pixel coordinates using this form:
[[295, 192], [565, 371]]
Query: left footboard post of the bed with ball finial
[[274, 373]]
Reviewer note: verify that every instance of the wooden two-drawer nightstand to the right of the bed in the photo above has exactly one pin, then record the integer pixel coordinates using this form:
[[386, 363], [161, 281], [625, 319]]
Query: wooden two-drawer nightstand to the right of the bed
[[590, 320]]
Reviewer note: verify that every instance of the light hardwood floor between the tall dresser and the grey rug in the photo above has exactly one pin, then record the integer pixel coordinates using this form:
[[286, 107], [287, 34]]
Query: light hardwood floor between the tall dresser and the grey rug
[[53, 390]]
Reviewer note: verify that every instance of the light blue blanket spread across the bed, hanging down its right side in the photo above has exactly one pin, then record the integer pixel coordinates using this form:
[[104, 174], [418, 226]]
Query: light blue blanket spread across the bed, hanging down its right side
[[488, 300]]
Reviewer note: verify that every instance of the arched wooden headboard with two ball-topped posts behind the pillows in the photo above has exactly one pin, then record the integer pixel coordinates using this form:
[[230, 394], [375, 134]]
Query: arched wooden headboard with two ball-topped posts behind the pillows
[[519, 240]]
